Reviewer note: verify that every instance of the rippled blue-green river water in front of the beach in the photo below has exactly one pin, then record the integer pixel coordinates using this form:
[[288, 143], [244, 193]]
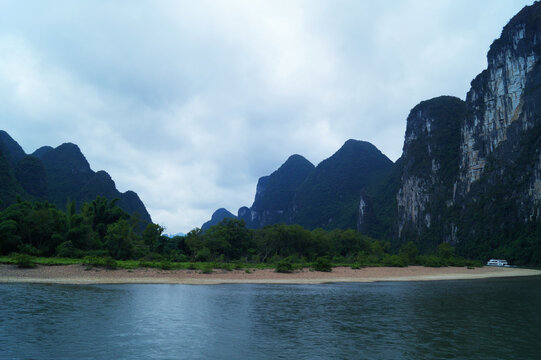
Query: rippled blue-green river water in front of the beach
[[481, 319]]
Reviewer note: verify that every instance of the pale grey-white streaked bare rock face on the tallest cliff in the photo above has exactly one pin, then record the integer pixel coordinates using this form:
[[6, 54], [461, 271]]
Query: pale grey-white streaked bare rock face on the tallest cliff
[[496, 98]]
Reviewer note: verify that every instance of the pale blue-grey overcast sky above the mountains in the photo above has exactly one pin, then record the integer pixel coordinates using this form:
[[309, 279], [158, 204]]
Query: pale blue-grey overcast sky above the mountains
[[188, 103]]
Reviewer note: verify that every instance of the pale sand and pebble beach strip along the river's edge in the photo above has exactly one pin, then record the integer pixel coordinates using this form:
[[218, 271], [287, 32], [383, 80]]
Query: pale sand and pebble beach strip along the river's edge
[[79, 274]]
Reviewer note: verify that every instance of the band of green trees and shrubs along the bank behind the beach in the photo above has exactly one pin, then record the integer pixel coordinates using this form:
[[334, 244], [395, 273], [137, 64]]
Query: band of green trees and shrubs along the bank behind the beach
[[102, 234]]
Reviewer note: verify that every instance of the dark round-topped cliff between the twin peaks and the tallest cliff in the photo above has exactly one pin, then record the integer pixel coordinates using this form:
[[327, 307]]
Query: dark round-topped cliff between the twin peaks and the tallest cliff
[[430, 165]]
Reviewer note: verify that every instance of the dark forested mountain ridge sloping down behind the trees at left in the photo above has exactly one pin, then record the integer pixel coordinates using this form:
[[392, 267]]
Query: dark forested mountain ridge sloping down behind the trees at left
[[56, 175]]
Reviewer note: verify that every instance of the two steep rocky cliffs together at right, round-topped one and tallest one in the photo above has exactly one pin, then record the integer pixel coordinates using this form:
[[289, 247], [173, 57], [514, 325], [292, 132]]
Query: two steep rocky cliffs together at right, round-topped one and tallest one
[[488, 195]]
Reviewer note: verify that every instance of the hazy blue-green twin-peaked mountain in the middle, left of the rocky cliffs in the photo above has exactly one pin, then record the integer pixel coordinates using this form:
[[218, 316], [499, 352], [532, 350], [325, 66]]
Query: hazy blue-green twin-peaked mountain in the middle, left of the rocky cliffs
[[325, 196]]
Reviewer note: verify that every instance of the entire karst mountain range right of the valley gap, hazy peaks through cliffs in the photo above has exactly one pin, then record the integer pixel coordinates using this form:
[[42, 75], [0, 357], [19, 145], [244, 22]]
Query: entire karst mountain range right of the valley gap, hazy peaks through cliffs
[[470, 172]]
